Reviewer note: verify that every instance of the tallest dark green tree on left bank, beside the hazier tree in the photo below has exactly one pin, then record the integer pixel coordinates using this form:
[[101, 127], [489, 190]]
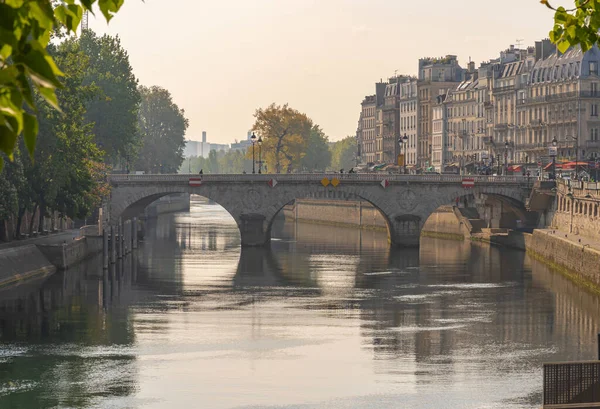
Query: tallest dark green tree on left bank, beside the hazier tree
[[114, 110]]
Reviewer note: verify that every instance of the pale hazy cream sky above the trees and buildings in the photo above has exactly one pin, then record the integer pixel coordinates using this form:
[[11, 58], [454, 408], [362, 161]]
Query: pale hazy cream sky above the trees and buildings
[[223, 59]]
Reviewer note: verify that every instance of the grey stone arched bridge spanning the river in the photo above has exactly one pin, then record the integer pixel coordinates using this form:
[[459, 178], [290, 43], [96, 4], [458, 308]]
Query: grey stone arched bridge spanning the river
[[405, 201]]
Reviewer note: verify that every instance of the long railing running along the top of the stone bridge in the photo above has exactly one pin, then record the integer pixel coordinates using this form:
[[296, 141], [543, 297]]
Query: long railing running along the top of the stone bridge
[[317, 177]]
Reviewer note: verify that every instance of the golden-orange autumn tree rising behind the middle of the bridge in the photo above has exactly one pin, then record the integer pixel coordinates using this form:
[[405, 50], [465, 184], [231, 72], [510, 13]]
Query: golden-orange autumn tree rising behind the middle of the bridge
[[285, 133]]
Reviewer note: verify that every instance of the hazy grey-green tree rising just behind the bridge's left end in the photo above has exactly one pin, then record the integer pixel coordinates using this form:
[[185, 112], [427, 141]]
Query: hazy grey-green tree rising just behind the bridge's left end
[[162, 126]]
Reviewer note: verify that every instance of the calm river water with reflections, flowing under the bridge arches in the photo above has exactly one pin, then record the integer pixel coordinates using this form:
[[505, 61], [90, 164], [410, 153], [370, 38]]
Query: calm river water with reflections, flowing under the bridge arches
[[328, 318]]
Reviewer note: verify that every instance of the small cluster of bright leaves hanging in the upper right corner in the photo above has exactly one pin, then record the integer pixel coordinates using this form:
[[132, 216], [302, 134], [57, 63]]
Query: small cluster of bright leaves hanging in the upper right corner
[[579, 25]]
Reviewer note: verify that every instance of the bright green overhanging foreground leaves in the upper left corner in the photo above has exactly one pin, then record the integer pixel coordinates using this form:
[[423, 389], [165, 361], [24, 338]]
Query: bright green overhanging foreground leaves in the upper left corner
[[25, 64]]
